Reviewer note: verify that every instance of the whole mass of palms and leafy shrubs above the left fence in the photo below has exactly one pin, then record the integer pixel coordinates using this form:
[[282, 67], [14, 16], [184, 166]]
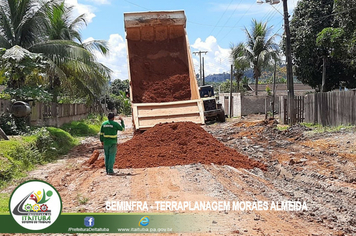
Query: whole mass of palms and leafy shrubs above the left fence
[[48, 57]]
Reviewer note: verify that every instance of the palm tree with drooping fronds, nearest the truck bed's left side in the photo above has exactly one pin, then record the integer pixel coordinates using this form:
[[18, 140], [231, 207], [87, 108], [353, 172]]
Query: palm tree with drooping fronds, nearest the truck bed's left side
[[88, 77]]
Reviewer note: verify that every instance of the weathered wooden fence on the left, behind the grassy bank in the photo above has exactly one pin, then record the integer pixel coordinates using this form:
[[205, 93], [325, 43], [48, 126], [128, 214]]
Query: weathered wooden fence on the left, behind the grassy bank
[[53, 114]]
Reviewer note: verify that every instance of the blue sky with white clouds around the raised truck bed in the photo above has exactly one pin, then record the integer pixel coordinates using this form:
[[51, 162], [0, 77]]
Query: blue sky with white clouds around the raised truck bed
[[211, 26]]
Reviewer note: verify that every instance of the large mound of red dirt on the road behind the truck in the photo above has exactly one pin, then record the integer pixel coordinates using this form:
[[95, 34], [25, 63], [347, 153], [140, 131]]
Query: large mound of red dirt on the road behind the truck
[[173, 144]]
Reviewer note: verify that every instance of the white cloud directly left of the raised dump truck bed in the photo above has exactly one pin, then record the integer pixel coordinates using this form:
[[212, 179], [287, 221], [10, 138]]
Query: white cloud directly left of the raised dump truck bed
[[117, 58]]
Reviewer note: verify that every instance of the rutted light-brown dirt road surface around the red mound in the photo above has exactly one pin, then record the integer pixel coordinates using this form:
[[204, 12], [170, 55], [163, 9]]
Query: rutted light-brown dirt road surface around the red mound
[[301, 165]]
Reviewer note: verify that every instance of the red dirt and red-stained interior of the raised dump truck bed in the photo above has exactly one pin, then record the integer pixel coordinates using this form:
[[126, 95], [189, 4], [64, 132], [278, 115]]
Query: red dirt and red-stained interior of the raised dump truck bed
[[159, 70]]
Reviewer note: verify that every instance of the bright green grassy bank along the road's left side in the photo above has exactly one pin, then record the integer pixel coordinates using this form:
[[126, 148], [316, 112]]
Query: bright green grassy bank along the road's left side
[[39, 146]]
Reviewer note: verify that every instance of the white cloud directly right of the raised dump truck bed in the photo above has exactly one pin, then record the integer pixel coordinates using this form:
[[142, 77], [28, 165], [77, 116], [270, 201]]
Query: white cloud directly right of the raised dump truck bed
[[217, 60]]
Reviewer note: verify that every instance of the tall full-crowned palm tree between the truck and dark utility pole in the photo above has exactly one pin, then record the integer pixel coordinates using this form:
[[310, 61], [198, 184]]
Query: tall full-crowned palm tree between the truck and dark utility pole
[[258, 49]]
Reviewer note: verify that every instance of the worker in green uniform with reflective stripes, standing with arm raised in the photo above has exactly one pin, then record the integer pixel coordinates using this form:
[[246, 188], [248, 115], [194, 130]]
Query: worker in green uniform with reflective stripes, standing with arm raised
[[108, 138]]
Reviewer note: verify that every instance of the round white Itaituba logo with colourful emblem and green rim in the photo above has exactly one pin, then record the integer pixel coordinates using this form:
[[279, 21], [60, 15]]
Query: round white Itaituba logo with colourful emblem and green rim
[[35, 205]]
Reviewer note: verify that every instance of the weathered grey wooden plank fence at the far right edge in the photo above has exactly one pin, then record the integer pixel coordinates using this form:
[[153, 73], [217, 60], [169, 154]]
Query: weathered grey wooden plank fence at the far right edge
[[331, 108]]
